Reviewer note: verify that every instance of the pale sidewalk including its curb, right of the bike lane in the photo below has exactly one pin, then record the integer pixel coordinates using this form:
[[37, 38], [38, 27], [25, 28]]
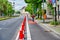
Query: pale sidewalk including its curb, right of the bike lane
[[55, 29]]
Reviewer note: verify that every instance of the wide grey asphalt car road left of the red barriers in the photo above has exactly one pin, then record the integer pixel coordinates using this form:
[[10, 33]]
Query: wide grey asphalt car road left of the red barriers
[[8, 28]]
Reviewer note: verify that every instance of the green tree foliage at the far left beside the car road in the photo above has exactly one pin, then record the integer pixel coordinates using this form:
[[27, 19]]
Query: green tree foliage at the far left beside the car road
[[5, 8]]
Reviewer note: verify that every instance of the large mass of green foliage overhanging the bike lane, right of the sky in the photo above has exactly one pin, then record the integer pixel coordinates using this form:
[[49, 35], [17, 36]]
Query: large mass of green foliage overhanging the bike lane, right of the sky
[[33, 5]]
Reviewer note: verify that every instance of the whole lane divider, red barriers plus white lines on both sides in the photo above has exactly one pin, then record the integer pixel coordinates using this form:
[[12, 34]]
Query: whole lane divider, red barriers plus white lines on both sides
[[24, 25]]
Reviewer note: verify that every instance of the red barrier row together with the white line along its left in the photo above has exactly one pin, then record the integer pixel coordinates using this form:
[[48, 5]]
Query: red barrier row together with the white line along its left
[[20, 35]]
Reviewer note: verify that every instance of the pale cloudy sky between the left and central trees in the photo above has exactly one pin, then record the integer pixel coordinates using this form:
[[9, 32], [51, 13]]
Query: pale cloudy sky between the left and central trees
[[18, 4]]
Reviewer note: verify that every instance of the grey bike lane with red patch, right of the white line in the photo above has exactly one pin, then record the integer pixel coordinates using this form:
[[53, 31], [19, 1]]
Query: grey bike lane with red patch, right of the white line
[[39, 33]]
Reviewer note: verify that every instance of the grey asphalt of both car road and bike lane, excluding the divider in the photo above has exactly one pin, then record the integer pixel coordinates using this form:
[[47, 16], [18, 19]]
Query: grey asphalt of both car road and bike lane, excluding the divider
[[9, 29]]
